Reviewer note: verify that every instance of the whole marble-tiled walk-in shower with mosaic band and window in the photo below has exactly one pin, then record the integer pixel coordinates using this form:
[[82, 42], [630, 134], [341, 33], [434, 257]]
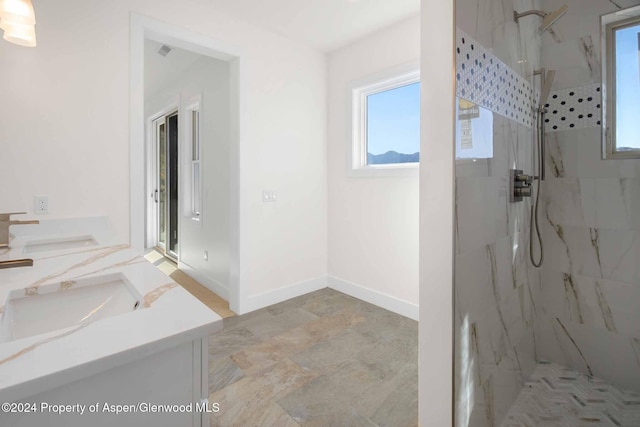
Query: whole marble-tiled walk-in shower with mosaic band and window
[[542, 305]]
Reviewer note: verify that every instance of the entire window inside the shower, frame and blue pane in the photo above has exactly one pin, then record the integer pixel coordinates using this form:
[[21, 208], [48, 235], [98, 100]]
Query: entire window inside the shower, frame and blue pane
[[621, 84]]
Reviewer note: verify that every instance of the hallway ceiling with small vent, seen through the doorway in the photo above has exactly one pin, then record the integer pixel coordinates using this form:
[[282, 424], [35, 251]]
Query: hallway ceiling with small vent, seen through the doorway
[[159, 70]]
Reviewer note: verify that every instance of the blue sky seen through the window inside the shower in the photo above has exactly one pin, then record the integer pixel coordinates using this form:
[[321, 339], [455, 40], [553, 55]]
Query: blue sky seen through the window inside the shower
[[627, 42]]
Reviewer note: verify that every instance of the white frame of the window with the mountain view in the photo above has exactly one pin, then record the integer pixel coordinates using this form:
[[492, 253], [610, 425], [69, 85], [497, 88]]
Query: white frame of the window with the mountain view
[[358, 92]]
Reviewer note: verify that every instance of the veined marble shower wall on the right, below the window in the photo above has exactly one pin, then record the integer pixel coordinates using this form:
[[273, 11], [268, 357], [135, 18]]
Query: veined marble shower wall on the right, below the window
[[589, 316]]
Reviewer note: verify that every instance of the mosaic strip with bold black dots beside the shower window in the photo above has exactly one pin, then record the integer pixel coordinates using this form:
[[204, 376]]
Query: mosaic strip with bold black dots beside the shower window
[[575, 108]]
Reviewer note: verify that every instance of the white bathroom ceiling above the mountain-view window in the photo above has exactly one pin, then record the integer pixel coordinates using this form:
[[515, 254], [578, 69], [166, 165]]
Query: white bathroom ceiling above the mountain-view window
[[323, 24]]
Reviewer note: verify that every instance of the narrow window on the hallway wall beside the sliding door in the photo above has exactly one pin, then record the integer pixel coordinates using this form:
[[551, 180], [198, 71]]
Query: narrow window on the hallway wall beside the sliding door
[[193, 166]]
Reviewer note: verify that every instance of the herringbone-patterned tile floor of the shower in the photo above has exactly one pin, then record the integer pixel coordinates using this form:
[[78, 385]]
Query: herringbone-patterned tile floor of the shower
[[555, 396]]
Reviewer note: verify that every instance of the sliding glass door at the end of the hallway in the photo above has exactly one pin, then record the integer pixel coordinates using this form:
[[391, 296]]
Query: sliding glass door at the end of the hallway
[[167, 192]]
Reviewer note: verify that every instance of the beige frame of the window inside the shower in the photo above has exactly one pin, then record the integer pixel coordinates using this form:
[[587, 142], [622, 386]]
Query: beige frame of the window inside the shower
[[610, 23]]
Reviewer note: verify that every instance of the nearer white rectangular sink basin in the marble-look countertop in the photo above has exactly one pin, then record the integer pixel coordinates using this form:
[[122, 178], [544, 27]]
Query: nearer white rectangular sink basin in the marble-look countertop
[[65, 304]]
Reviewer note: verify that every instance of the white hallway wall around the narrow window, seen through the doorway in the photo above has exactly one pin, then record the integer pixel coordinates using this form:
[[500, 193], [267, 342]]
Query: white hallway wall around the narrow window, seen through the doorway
[[208, 78]]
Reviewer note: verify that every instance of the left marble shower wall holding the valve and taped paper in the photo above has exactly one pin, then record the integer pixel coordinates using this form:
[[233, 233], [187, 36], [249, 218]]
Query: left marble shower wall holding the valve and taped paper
[[496, 290]]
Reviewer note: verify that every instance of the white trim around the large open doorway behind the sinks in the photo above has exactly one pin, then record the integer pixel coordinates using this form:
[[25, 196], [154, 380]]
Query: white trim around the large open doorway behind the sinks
[[141, 28]]
